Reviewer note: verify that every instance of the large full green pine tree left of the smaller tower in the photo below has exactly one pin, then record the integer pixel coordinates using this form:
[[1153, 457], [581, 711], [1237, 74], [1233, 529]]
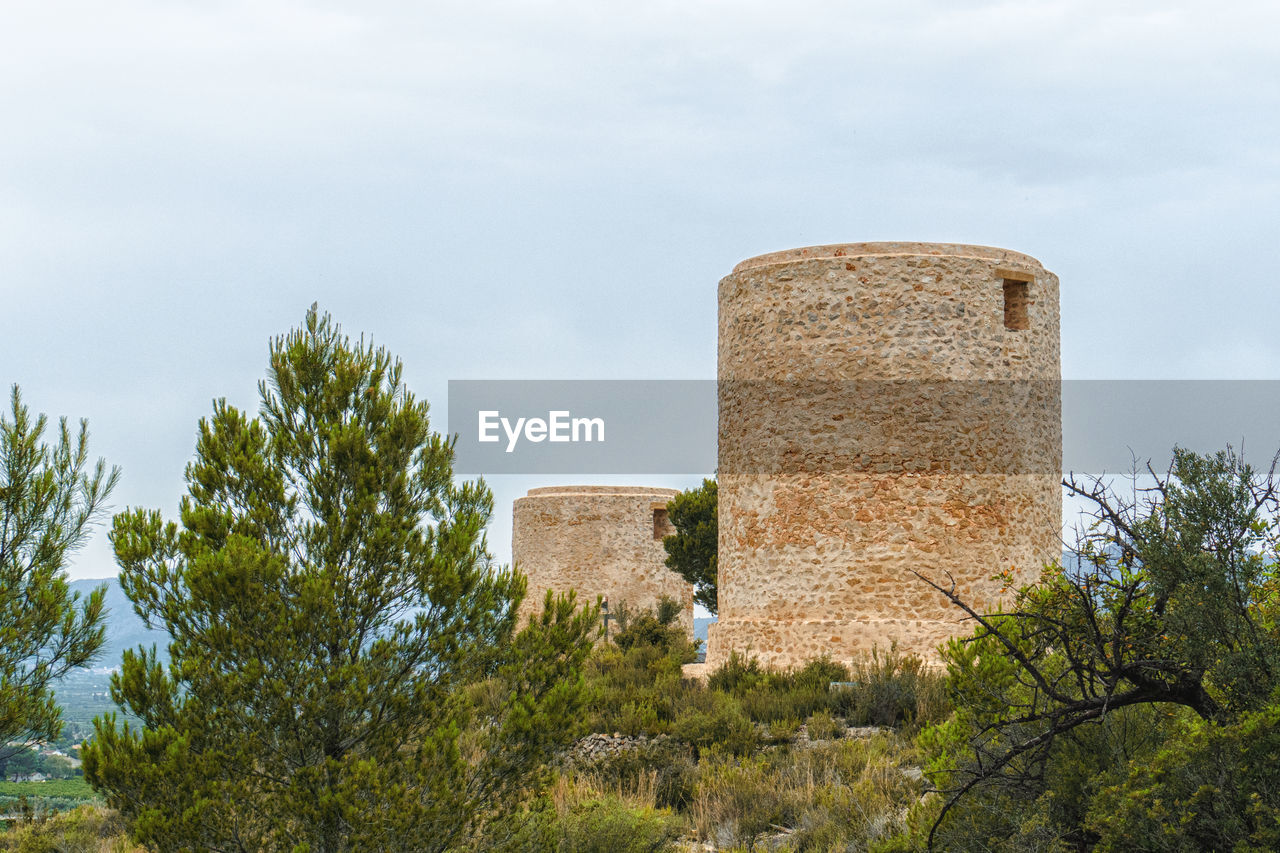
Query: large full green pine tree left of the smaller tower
[[345, 669]]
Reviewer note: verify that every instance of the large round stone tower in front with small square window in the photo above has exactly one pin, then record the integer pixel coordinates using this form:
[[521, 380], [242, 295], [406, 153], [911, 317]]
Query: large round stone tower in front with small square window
[[884, 409]]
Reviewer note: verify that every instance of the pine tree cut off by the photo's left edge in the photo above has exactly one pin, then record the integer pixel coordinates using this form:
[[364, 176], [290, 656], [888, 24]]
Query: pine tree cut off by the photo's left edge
[[49, 500]]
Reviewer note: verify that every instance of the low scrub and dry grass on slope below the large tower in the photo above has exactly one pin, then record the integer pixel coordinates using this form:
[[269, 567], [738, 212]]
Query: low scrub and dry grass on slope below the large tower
[[708, 764]]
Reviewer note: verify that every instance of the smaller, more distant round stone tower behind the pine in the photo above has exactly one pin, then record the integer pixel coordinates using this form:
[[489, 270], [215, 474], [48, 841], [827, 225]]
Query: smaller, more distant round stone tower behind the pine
[[601, 541]]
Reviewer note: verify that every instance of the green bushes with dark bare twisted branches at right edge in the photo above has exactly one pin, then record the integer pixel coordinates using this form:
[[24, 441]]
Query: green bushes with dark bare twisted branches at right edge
[[1116, 695]]
